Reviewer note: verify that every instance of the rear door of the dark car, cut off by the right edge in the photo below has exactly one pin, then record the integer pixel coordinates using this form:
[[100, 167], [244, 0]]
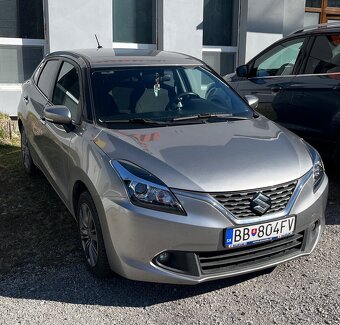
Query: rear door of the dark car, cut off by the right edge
[[315, 110]]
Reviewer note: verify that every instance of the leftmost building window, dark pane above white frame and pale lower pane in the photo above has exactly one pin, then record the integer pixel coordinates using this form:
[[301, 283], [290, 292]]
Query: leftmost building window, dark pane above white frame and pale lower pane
[[20, 19]]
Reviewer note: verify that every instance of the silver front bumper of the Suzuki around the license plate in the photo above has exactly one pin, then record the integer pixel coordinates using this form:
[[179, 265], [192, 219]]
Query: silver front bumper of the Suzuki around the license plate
[[135, 236]]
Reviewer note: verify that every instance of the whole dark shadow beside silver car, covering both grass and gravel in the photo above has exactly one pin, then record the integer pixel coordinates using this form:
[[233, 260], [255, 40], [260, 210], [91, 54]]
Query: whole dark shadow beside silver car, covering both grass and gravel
[[40, 256]]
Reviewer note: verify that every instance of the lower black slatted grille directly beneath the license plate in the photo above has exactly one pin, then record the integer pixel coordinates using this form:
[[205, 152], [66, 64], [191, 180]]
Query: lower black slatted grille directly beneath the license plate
[[249, 256]]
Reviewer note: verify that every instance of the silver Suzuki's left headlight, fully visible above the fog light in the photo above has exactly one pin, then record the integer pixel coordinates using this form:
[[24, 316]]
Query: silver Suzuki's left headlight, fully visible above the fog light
[[145, 189]]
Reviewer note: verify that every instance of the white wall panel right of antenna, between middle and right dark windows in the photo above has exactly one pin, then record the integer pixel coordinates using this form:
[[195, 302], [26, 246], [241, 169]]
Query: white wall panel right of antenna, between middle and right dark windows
[[180, 26]]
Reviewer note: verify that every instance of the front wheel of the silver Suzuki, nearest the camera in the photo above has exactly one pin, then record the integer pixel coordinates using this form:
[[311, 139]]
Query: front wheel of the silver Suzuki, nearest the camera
[[91, 237]]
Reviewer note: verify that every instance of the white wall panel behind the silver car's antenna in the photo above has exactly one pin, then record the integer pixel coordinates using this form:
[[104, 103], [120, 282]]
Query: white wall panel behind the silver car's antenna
[[72, 24]]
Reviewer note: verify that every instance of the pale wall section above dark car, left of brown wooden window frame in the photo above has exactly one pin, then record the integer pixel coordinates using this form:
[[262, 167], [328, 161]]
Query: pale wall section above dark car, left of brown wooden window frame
[[270, 20]]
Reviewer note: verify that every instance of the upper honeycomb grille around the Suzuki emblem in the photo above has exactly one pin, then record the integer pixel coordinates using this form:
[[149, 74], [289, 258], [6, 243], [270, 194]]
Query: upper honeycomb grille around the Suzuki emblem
[[238, 203]]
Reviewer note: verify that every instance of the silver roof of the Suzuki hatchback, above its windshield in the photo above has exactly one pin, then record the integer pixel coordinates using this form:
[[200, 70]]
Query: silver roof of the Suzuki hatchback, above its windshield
[[105, 57]]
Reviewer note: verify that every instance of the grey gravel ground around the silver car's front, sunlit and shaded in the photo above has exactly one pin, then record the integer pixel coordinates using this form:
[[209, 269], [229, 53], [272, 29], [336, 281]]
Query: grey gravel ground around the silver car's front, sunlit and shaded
[[303, 291]]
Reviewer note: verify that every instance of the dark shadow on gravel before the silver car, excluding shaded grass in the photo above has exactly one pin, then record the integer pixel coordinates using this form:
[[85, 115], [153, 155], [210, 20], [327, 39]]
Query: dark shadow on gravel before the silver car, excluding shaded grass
[[73, 284]]
